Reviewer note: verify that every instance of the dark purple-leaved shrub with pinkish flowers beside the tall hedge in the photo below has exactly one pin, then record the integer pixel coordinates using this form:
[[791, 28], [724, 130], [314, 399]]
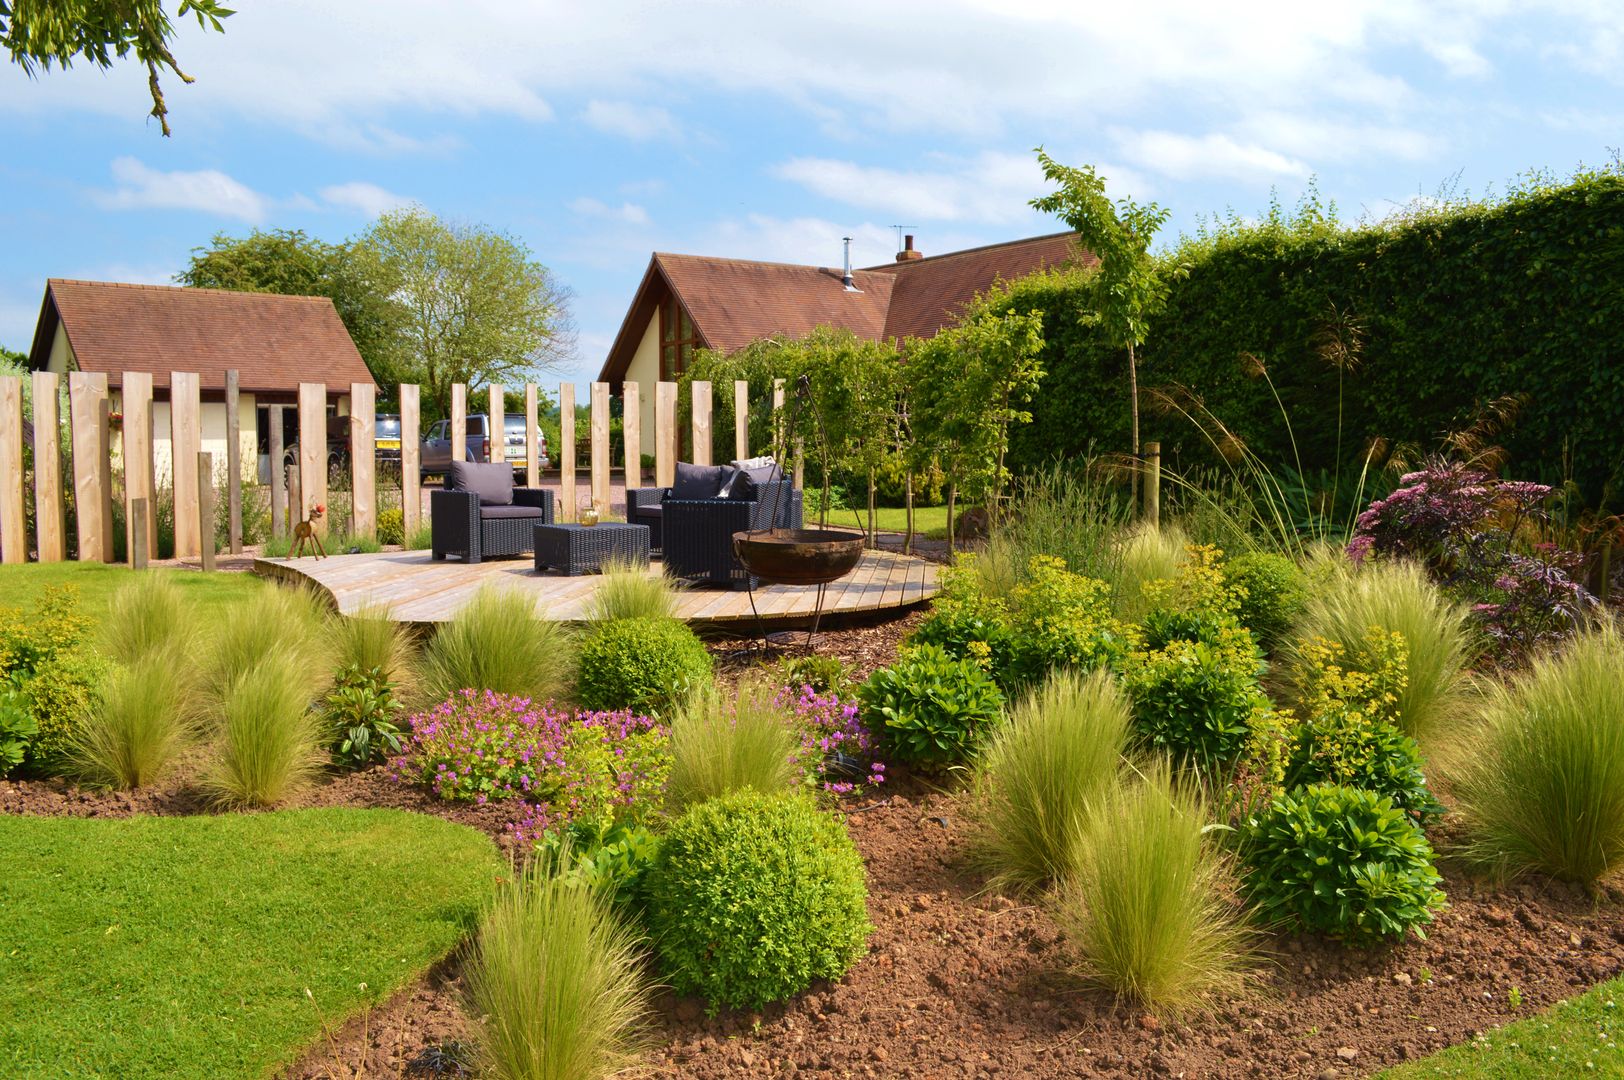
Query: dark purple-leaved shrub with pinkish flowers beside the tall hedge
[[1471, 530]]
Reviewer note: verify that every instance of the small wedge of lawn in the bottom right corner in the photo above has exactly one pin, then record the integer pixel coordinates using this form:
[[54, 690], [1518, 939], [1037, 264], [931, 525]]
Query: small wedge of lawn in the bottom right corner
[[1578, 1039]]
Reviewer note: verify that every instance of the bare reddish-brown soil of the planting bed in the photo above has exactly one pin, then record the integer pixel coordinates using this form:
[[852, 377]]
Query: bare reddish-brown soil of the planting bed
[[962, 983]]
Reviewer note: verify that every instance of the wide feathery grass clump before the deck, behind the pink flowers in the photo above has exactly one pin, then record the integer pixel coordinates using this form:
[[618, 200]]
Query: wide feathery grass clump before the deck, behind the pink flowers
[[498, 642]]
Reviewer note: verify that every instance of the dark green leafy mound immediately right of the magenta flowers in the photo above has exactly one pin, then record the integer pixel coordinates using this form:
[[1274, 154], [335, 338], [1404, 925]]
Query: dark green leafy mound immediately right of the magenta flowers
[[931, 709]]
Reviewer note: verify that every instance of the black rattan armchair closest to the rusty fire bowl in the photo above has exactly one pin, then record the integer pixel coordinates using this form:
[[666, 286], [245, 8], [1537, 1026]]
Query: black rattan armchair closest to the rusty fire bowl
[[698, 534]]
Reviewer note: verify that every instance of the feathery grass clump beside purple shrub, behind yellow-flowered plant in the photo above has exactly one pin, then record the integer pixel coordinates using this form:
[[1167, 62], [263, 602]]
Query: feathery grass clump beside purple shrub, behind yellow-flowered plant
[[1399, 598]]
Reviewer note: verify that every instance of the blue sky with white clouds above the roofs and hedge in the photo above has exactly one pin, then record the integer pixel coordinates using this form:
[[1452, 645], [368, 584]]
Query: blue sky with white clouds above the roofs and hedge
[[602, 132]]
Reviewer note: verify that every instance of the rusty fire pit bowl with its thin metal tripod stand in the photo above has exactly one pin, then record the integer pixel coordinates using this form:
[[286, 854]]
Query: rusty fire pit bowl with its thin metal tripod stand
[[798, 556]]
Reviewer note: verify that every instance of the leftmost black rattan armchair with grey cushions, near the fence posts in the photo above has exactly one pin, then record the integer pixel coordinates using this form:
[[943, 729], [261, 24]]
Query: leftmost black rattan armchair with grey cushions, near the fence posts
[[482, 514]]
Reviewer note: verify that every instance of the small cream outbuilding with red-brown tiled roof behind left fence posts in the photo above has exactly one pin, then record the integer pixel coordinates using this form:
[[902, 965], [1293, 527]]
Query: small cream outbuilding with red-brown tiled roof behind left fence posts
[[272, 342]]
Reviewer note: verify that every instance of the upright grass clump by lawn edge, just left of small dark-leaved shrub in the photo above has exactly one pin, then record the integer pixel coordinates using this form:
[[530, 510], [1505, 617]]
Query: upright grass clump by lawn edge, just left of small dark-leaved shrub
[[270, 741]]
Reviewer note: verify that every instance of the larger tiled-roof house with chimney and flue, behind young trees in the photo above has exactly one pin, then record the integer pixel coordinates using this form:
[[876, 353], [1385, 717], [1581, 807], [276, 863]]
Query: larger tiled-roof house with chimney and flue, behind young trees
[[689, 303]]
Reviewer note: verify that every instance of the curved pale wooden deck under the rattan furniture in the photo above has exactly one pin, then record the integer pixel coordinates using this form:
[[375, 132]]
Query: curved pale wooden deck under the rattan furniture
[[418, 590]]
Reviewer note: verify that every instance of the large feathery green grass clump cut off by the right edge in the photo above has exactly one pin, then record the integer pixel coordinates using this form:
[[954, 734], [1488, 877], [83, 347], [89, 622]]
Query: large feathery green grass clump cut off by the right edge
[[1540, 780]]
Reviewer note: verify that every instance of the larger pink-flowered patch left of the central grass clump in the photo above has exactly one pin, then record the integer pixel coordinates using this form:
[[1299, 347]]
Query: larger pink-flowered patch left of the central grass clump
[[482, 746]]
